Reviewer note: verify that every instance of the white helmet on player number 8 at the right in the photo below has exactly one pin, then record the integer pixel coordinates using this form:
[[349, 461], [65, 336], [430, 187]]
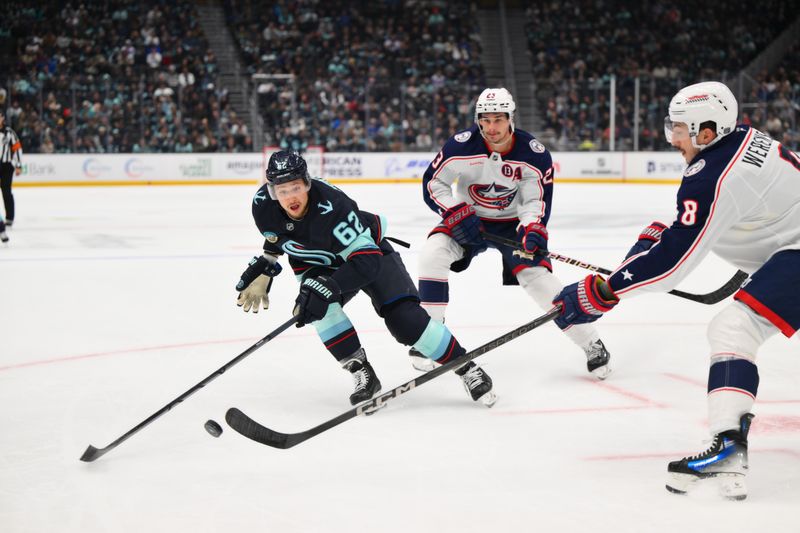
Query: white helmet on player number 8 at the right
[[709, 101]]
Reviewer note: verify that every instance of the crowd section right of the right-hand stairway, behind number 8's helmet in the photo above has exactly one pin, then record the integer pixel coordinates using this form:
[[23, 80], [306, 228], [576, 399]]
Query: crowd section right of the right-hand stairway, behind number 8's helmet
[[577, 46]]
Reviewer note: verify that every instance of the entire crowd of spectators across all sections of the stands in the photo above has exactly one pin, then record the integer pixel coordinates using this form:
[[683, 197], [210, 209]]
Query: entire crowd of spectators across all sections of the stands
[[387, 75]]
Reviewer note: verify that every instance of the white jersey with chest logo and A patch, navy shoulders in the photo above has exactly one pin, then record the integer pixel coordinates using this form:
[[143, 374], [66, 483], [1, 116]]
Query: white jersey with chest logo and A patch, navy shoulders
[[516, 185]]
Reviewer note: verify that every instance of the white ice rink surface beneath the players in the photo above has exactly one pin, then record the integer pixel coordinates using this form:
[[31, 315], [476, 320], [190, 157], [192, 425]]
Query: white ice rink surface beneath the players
[[117, 300]]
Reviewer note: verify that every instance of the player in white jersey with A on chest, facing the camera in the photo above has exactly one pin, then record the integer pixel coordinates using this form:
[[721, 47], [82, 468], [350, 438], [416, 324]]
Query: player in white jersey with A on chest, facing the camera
[[505, 187]]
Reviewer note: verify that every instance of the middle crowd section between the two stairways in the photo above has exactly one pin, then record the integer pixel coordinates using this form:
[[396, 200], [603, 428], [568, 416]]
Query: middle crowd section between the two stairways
[[369, 76]]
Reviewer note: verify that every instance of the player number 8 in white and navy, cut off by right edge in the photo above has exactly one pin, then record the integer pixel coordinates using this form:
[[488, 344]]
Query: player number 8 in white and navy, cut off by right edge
[[740, 198]]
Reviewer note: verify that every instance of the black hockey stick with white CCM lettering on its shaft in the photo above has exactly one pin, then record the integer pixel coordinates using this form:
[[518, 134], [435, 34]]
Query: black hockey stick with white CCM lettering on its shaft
[[251, 429]]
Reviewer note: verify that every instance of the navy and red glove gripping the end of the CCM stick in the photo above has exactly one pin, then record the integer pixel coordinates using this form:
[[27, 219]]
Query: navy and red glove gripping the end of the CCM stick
[[584, 301]]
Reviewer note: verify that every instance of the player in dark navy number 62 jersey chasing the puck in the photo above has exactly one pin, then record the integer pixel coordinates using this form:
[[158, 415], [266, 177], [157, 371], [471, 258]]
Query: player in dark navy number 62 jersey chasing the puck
[[337, 250]]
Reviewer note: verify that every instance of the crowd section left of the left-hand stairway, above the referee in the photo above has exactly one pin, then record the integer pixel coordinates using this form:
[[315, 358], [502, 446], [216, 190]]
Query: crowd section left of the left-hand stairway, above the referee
[[115, 76]]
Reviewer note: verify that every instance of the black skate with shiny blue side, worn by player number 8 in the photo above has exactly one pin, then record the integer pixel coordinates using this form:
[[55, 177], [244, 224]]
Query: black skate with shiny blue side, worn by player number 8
[[725, 459]]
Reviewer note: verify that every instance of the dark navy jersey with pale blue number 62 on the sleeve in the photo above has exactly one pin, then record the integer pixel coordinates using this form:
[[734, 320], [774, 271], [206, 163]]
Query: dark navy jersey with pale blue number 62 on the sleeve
[[333, 232]]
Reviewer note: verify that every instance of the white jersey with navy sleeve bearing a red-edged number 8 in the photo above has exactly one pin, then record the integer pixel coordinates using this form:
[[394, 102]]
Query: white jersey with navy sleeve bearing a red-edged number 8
[[739, 198]]
